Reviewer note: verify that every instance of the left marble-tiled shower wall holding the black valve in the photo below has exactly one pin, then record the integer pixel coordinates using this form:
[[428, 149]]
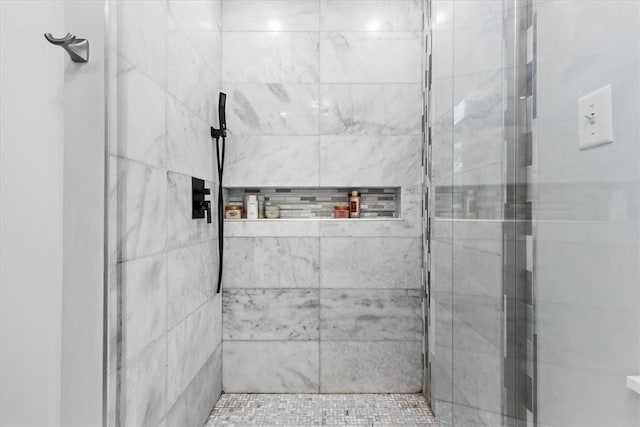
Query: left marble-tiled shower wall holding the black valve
[[165, 319]]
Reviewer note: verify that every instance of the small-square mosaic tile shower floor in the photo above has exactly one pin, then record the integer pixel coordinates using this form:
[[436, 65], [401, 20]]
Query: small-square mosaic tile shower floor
[[300, 410]]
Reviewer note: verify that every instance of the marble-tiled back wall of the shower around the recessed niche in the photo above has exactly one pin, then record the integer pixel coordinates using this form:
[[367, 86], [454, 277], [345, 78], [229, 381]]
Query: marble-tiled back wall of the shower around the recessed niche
[[324, 93]]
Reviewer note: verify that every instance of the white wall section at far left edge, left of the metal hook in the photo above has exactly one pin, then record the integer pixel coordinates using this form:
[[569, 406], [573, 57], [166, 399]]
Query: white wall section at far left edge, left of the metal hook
[[31, 215]]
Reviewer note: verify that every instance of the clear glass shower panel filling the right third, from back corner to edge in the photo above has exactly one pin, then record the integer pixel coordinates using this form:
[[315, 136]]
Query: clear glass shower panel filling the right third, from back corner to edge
[[534, 244]]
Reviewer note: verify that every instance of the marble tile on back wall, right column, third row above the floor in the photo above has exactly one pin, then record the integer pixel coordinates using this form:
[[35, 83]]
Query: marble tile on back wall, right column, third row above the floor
[[370, 263]]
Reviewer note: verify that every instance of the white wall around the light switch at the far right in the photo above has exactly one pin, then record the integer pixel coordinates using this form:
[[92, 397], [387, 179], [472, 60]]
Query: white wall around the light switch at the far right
[[586, 216]]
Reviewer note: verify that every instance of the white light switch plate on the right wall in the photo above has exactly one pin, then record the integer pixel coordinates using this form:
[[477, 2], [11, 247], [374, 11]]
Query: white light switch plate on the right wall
[[595, 119]]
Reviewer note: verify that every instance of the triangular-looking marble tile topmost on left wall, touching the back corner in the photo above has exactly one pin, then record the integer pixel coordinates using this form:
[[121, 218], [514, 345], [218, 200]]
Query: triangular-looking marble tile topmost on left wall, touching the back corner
[[200, 20]]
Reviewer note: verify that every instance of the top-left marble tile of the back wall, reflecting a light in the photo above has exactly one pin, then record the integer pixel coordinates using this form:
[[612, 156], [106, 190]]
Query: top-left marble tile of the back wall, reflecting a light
[[270, 15]]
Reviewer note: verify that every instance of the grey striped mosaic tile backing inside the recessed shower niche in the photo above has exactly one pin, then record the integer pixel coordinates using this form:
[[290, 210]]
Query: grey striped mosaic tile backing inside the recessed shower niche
[[320, 202]]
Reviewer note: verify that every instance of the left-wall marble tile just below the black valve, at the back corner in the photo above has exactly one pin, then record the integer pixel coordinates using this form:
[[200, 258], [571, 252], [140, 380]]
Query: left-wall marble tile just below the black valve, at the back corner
[[191, 273]]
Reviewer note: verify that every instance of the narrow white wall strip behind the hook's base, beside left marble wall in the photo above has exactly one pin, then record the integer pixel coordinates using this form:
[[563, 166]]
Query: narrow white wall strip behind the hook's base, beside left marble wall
[[84, 200]]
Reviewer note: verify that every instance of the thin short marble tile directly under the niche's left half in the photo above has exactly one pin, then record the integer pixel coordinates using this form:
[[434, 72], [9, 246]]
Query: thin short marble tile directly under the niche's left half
[[272, 228]]
